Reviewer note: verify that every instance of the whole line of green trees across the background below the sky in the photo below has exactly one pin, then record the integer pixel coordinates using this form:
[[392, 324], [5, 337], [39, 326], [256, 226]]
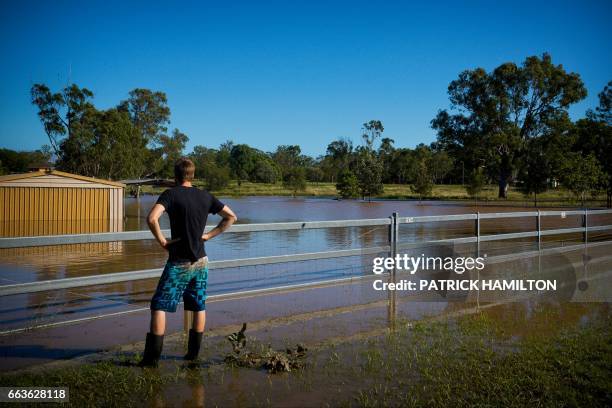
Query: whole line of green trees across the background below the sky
[[507, 126]]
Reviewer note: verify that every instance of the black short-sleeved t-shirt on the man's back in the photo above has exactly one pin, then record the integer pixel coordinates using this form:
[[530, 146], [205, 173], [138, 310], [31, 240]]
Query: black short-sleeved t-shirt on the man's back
[[188, 209]]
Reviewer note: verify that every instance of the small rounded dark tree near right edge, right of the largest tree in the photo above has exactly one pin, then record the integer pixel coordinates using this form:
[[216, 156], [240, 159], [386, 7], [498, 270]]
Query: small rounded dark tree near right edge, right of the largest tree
[[582, 175]]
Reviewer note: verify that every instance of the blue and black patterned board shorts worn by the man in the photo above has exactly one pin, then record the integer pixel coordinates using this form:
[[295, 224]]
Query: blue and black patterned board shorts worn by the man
[[184, 279]]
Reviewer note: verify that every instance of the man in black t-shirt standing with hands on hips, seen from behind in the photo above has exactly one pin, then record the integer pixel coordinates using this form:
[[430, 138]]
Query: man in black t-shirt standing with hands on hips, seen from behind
[[186, 271]]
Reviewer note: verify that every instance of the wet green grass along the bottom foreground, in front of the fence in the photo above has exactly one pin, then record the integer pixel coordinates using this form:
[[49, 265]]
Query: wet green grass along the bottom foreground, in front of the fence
[[465, 362]]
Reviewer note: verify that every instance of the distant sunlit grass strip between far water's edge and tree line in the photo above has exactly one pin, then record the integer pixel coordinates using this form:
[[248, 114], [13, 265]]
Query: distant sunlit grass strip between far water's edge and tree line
[[392, 191]]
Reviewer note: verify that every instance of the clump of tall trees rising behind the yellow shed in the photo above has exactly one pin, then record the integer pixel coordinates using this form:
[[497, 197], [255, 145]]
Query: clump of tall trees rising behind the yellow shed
[[110, 143]]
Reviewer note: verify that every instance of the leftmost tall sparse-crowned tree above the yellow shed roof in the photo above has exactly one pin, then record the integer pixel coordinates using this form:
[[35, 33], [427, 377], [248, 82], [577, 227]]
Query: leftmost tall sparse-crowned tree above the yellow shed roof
[[61, 111]]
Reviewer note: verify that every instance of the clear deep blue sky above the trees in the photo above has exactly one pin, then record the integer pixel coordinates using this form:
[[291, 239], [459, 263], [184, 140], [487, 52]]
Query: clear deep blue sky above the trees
[[286, 72]]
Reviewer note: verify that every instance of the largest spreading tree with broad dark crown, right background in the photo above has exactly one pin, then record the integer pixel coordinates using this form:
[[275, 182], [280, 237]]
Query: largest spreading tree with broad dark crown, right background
[[500, 110]]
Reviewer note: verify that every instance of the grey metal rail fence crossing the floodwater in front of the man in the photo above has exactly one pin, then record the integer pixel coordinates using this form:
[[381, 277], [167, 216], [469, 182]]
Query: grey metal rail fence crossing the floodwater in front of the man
[[392, 247]]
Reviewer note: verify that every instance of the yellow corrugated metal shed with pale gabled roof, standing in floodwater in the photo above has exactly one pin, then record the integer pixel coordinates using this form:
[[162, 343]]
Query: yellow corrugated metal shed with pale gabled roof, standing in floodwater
[[48, 201]]
